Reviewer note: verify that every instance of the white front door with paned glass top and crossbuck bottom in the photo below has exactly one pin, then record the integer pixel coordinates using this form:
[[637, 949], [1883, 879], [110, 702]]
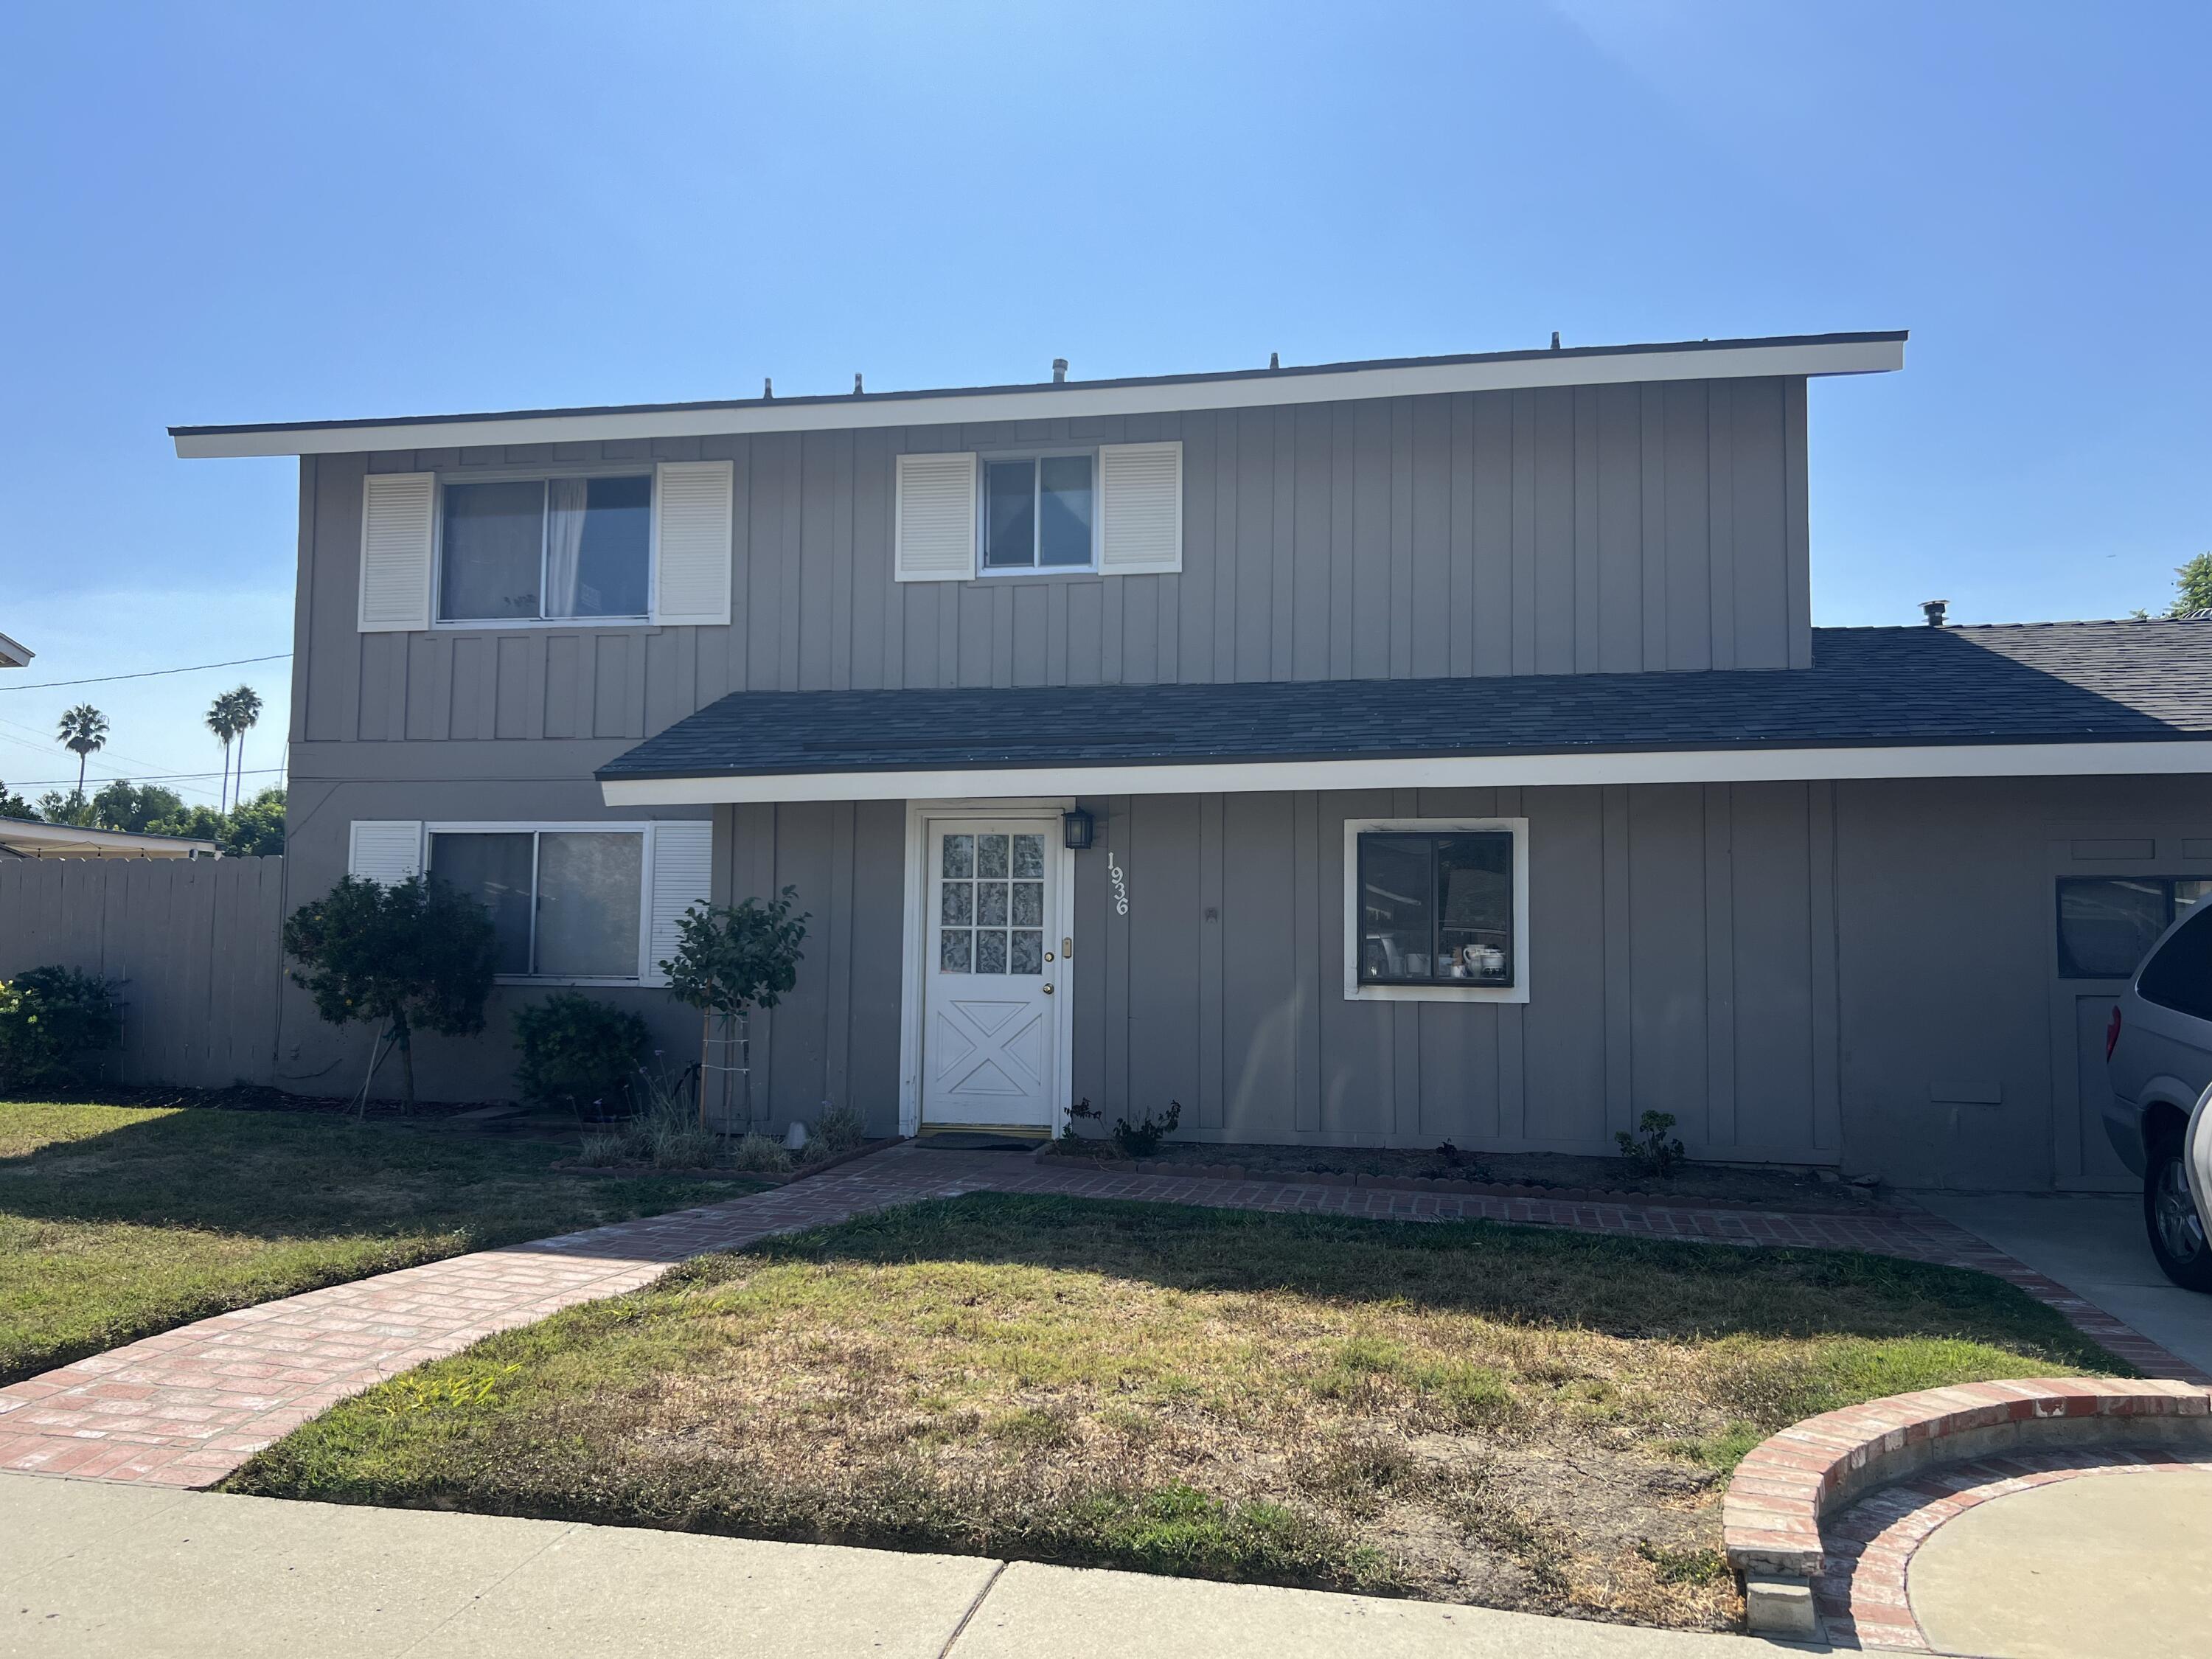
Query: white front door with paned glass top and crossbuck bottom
[[990, 1025]]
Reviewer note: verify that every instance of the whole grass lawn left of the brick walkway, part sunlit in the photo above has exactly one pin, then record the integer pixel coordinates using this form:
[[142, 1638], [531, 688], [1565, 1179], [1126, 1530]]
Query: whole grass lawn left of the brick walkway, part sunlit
[[121, 1222]]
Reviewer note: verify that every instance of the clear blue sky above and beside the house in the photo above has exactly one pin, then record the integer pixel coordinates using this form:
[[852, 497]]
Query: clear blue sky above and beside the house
[[275, 211]]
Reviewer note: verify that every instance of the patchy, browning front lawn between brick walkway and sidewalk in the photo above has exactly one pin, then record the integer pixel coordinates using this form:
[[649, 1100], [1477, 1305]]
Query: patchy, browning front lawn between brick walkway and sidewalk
[[1470, 1412]]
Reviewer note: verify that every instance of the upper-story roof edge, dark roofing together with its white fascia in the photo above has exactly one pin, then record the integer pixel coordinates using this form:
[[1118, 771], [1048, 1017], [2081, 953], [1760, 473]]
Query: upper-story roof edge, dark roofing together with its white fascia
[[1072, 399]]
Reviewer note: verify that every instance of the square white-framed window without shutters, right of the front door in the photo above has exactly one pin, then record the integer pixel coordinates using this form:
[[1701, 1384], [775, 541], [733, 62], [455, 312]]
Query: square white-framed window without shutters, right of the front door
[[1437, 910]]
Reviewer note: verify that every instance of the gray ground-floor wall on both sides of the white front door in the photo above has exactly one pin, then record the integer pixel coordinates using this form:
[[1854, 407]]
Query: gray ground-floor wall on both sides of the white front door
[[1830, 974]]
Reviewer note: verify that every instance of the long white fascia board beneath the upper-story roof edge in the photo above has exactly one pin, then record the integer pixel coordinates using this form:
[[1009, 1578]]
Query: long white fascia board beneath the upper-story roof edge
[[1076, 401]]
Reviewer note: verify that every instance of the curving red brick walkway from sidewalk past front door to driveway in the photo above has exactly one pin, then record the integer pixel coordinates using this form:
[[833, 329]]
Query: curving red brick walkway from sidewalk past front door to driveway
[[191, 1406]]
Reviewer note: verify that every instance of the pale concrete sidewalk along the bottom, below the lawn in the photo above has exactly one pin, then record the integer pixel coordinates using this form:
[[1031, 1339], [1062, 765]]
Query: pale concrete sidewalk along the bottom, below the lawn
[[112, 1569]]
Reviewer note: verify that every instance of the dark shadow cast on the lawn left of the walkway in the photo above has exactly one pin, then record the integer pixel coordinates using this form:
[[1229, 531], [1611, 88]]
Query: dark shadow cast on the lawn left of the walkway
[[311, 1176]]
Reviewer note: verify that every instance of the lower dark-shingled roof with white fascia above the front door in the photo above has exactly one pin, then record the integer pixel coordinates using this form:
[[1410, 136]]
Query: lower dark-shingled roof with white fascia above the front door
[[2072, 700]]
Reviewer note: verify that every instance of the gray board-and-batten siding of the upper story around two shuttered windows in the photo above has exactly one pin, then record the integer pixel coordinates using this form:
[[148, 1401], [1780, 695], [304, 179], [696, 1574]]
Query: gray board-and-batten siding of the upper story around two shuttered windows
[[1576, 530]]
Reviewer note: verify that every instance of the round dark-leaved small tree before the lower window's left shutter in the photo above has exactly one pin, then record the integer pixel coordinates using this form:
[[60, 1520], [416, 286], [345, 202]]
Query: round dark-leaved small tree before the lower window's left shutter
[[410, 954]]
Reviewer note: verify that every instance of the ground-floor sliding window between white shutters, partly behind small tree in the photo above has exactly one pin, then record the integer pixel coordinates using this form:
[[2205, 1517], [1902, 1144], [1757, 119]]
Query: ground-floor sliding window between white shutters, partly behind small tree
[[565, 904]]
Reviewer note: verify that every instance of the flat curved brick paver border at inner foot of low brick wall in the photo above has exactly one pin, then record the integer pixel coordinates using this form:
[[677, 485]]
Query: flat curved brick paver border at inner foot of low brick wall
[[1870, 1547]]
